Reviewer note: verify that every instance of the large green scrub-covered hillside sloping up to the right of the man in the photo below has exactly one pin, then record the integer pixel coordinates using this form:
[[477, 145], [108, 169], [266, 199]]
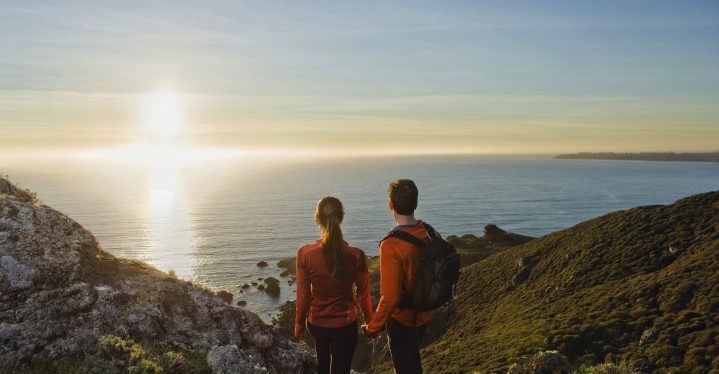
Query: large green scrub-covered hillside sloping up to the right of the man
[[640, 285]]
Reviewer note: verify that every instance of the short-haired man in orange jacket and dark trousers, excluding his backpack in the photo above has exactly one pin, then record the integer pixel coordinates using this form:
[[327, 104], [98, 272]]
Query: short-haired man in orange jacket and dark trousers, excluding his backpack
[[399, 261]]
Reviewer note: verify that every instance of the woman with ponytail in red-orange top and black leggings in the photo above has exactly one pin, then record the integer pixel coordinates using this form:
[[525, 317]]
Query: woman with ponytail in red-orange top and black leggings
[[332, 279]]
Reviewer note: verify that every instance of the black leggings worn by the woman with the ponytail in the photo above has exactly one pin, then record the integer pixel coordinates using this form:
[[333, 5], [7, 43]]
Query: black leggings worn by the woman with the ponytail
[[335, 347]]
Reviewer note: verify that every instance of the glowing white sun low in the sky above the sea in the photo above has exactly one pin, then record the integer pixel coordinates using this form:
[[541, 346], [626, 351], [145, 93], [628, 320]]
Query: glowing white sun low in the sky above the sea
[[162, 120]]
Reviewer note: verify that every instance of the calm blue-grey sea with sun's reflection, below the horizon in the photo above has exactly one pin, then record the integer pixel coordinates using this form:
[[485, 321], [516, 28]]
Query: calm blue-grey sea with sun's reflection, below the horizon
[[212, 222]]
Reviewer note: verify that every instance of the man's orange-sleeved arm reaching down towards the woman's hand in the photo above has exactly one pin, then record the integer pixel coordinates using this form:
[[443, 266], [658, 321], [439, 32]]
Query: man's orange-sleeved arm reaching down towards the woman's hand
[[391, 276]]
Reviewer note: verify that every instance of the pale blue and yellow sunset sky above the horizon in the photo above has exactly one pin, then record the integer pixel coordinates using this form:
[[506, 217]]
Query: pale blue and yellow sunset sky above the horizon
[[420, 76]]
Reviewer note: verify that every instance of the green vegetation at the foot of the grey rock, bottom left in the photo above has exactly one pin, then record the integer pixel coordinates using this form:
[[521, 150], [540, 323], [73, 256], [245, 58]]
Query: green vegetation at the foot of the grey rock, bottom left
[[115, 355]]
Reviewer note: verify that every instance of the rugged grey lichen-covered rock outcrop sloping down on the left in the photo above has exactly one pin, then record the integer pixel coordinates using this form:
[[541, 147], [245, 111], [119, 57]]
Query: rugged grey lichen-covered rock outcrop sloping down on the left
[[60, 292]]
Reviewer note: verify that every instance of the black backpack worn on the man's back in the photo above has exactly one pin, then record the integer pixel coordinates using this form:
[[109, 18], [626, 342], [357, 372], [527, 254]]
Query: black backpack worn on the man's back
[[438, 273]]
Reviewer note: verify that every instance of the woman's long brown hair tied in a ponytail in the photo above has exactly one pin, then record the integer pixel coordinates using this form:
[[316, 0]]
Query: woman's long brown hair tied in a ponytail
[[329, 217]]
